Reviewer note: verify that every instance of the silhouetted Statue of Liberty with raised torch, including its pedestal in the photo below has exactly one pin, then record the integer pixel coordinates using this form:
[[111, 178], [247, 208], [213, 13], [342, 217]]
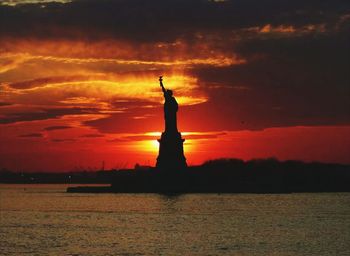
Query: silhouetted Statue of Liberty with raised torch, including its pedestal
[[171, 154]]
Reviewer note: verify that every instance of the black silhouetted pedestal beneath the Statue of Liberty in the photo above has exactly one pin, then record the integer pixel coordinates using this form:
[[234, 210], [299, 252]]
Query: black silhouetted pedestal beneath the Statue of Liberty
[[171, 153]]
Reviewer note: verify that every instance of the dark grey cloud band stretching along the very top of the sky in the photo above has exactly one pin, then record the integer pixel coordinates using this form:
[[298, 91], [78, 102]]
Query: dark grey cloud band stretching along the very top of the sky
[[159, 20]]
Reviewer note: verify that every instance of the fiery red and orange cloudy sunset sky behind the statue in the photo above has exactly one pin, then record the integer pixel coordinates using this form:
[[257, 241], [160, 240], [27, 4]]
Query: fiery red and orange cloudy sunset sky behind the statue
[[79, 80]]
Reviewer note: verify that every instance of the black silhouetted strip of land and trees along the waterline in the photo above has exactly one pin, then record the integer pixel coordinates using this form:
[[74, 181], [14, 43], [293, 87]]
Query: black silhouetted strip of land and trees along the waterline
[[214, 176]]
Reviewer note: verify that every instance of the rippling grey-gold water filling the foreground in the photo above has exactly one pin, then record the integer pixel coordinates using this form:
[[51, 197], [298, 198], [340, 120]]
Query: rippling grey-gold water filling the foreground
[[43, 220]]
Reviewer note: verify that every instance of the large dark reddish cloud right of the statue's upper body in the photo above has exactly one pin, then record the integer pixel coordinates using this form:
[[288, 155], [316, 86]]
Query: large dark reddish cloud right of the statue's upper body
[[292, 81]]
